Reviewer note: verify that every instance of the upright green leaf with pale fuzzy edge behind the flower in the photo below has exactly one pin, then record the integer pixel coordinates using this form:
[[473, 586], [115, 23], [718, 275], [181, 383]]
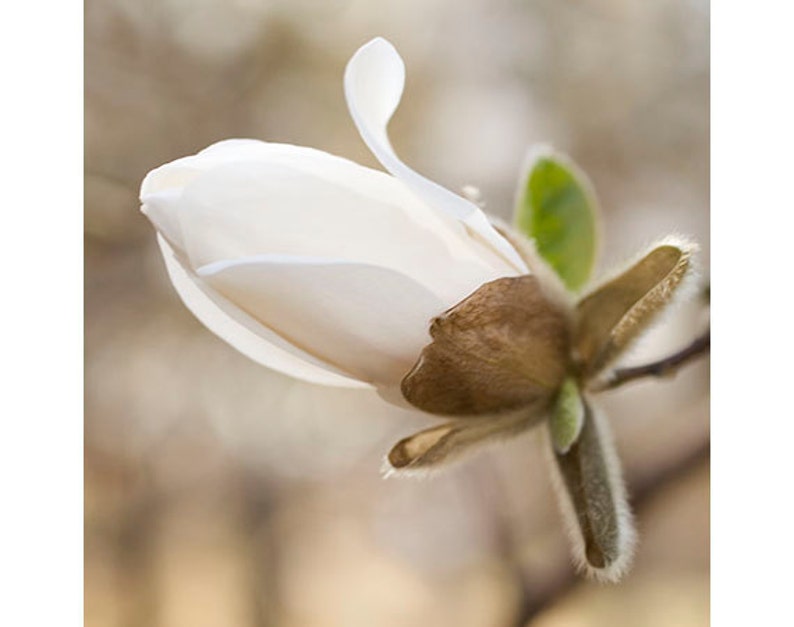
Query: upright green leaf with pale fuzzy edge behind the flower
[[556, 207]]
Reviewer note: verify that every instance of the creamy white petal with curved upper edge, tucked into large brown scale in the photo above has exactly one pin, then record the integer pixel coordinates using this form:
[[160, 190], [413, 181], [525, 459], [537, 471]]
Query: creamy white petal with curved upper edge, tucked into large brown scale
[[371, 322]]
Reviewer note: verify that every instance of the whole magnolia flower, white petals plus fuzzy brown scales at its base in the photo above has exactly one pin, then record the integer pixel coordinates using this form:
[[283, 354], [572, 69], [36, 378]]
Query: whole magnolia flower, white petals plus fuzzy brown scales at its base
[[341, 275]]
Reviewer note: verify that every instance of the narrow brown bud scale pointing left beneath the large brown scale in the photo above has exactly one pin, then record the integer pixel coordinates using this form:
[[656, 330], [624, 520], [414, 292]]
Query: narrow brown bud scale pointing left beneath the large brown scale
[[433, 447]]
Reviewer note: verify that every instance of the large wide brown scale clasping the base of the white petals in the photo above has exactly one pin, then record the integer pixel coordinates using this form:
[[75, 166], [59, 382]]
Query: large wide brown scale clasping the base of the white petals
[[502, 348]]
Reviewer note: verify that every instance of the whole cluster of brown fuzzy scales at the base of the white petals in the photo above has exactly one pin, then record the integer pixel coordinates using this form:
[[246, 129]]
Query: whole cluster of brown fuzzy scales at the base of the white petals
[[497, 365]]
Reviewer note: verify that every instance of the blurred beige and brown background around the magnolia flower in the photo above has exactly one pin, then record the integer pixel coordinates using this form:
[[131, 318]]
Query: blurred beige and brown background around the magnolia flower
[[218, 493]]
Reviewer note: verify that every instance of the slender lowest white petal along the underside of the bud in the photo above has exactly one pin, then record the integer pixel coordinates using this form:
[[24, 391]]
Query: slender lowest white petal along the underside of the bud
[[247, 335]]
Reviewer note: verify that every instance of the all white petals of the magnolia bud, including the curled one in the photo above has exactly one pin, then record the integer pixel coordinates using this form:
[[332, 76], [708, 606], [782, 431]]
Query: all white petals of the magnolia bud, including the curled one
[[313, 265]]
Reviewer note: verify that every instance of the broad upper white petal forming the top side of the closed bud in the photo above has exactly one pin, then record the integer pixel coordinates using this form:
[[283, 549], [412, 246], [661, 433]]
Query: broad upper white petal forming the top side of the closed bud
[[260, 207]]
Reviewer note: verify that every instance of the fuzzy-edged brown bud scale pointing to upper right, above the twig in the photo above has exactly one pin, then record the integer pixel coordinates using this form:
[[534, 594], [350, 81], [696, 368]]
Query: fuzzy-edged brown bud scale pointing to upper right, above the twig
[[616, 313]]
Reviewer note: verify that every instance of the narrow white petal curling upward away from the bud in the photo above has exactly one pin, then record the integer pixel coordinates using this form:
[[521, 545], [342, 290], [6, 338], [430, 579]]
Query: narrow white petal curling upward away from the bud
[[374, 81]]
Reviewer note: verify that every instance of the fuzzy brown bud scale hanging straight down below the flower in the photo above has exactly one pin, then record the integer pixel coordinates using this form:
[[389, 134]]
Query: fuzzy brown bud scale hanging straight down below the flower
[[594, 502]]
